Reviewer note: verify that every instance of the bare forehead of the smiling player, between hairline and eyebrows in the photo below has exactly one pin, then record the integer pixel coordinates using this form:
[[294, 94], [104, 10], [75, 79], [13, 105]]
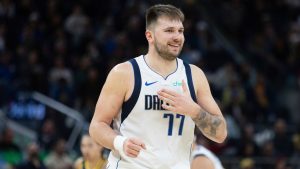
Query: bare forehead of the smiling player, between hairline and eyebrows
[[167, 22]]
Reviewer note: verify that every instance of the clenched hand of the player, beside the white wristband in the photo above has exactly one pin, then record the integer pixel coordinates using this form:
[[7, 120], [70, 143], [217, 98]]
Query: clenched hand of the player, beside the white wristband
[[133, 146]]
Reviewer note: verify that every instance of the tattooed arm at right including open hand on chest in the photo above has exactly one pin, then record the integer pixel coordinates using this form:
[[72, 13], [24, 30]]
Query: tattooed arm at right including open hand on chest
[[205, 113]]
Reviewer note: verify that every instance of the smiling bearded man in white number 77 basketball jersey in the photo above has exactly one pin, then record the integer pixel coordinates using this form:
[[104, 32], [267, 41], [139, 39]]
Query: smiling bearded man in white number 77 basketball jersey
[[155, 101]]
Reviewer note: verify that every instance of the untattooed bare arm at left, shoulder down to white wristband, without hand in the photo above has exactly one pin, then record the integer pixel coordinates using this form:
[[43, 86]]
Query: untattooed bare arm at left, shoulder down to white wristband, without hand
[[108, 105]]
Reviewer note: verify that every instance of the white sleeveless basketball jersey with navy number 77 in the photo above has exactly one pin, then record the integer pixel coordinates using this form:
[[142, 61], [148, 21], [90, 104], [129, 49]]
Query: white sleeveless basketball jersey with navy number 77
[[168, 136]]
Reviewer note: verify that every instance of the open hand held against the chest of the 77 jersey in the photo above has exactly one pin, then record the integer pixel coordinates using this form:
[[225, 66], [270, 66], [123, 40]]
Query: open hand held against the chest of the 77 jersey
[[181, 103]]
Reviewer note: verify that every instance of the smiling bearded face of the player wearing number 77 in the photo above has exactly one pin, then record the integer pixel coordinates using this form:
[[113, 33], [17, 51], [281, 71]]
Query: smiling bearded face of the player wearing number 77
[[168, 38]]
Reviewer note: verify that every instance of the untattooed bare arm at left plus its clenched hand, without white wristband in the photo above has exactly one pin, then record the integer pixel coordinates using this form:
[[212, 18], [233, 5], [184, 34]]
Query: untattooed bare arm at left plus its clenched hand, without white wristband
[[117, 89]]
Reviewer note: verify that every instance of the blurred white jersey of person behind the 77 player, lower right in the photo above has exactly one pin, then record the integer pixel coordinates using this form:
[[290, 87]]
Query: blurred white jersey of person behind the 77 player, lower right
[[202, 151]]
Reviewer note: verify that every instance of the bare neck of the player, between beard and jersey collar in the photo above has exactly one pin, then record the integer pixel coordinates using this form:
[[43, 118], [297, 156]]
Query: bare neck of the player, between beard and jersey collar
[[162, 66]]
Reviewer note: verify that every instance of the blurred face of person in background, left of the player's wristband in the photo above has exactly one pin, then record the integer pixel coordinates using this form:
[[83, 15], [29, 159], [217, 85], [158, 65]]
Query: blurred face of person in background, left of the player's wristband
[[89, 148]]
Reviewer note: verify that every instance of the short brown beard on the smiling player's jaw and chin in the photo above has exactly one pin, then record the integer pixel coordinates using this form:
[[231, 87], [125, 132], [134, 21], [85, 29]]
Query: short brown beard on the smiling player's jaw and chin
[[165, 52]]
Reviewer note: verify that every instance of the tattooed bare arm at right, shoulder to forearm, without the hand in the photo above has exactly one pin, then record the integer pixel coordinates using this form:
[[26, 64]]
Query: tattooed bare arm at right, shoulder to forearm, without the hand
[[209, 118]]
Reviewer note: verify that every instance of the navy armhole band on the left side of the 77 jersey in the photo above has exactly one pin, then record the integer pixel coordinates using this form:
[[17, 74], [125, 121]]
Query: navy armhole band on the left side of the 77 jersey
[[130, 103]]
